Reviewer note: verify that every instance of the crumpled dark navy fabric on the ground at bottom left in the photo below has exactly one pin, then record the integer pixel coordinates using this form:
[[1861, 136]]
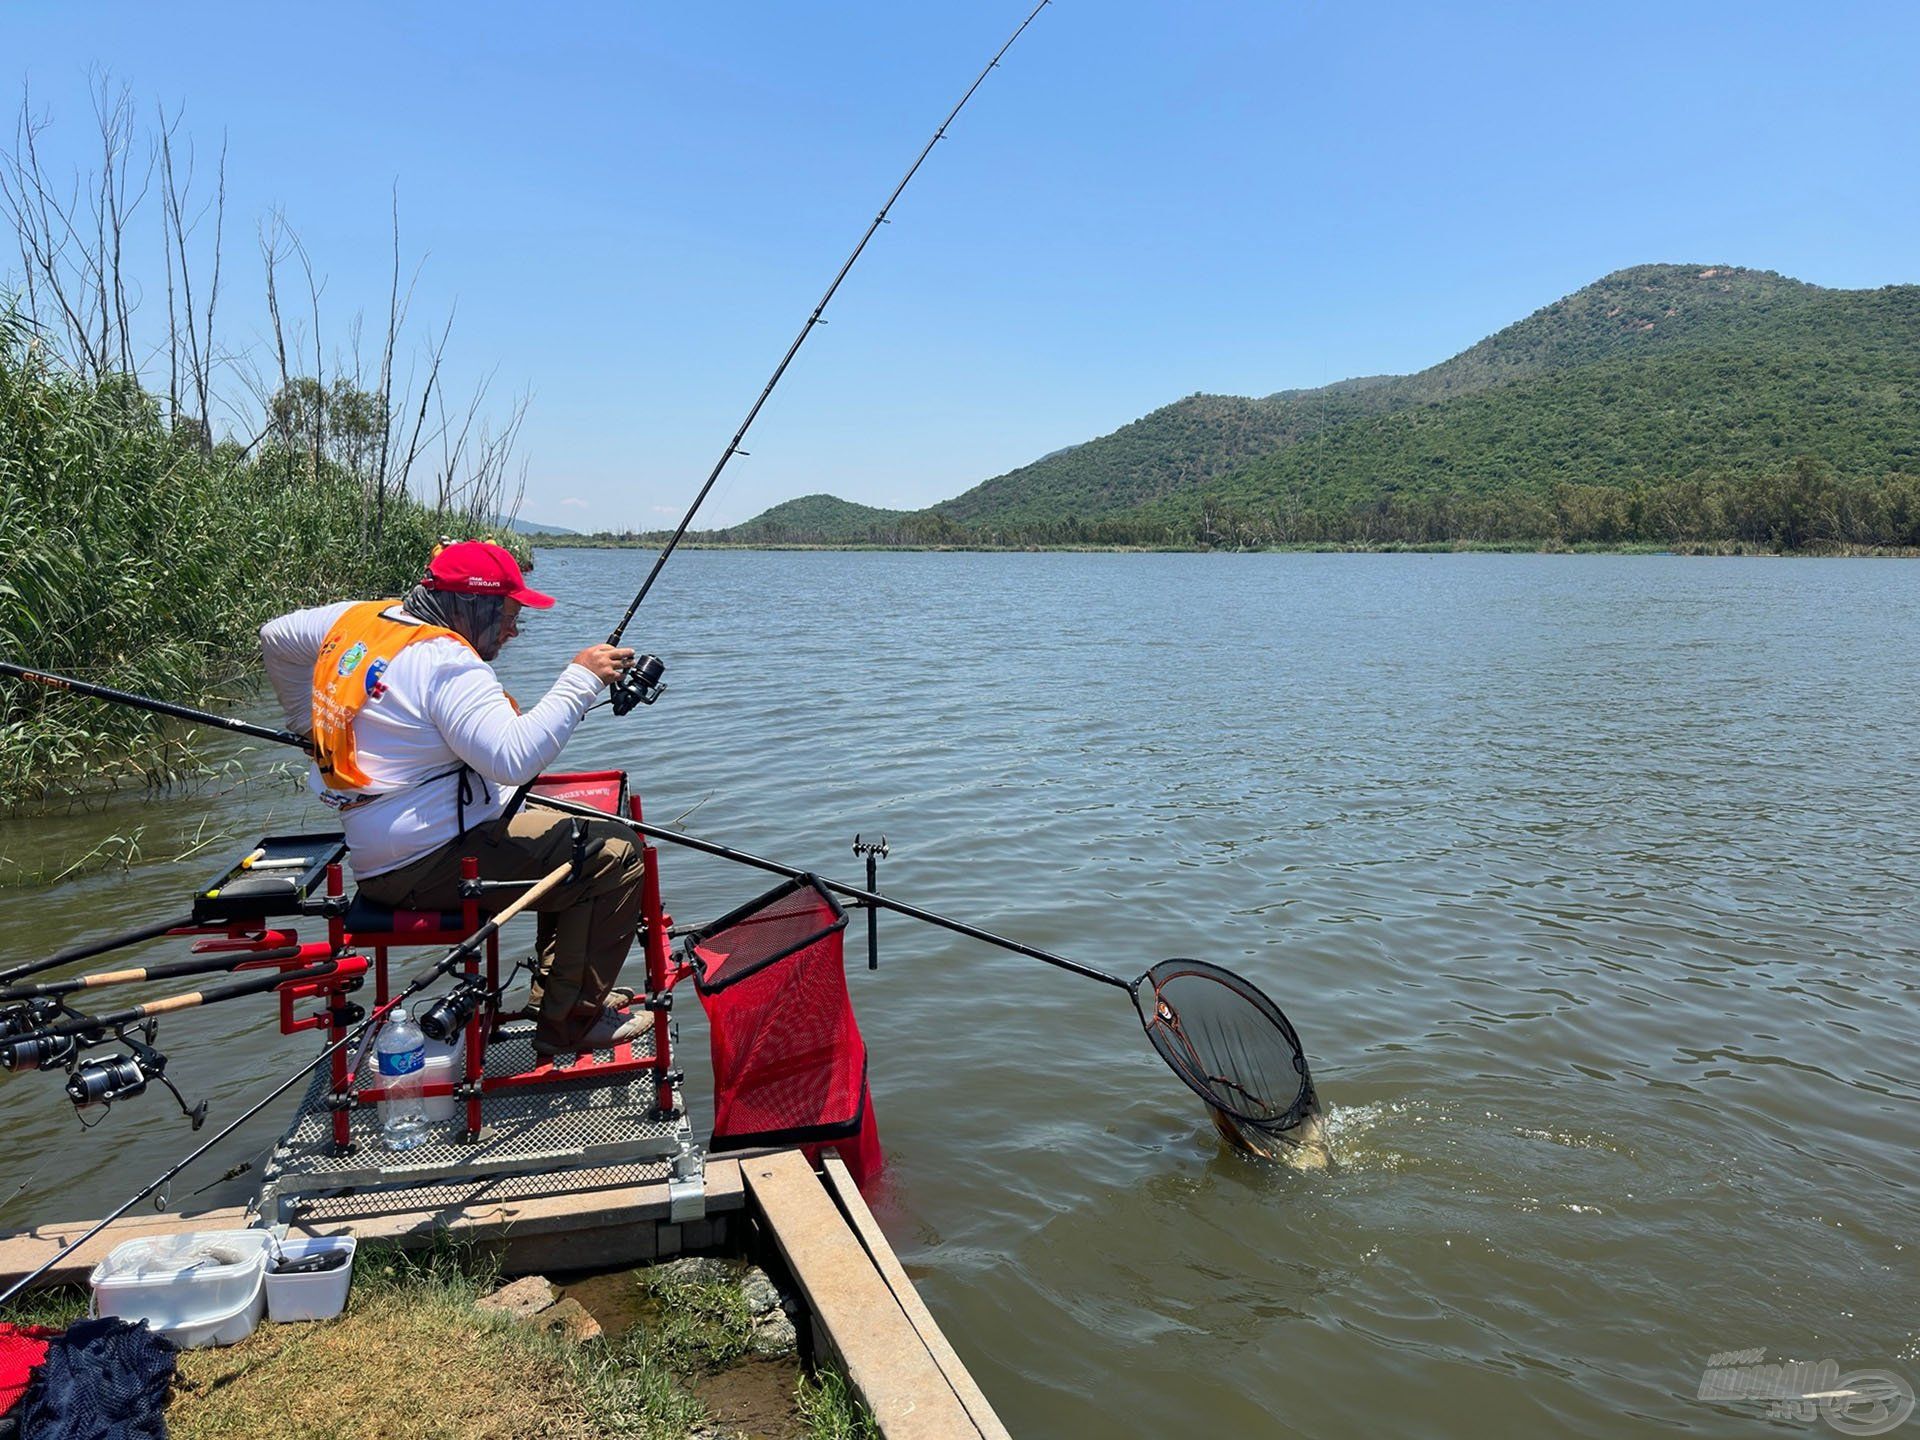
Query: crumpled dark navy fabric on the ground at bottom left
[[105, 1380]]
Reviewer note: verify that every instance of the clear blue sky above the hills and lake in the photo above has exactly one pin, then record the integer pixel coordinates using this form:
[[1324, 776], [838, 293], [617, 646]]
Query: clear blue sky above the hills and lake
[[635, 206]]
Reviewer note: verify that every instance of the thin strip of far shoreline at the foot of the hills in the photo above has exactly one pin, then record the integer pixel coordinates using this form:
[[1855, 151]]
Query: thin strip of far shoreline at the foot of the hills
[[1702, 550]]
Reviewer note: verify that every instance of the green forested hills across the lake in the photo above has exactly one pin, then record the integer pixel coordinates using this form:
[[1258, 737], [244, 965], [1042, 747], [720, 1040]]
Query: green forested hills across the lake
[[1664, 402]]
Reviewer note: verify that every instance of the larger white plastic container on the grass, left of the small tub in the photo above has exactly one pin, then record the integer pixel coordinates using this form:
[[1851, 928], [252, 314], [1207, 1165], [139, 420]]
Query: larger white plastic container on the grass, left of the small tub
[[204, 1287]]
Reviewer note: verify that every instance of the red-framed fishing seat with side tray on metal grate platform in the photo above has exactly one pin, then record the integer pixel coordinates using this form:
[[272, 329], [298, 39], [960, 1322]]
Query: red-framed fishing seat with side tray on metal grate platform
[[498, 1113]]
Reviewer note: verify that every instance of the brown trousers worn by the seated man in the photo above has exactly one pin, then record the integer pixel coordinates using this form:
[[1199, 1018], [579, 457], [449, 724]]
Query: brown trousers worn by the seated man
[[587, 928]]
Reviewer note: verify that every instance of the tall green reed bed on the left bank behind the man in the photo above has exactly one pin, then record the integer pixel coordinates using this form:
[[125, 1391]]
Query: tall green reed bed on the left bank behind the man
[[135, 556]]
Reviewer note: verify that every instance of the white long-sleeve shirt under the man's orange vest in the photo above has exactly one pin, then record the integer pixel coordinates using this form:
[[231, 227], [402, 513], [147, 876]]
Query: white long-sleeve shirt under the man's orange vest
[[443, 706]]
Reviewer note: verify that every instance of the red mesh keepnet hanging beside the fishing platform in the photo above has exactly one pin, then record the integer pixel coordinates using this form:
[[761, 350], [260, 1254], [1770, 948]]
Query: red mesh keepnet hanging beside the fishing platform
[[790, 1065]]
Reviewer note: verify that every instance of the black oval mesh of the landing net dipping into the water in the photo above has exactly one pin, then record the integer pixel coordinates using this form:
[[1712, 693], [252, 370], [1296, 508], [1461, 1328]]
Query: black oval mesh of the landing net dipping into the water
[[1228, 1042]]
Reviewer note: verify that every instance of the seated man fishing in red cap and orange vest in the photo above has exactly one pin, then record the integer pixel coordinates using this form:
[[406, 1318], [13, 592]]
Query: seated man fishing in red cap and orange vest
[[416, 746]]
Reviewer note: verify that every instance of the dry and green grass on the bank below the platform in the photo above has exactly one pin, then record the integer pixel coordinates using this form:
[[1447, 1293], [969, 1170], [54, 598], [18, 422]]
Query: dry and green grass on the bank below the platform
[[414, 1360]]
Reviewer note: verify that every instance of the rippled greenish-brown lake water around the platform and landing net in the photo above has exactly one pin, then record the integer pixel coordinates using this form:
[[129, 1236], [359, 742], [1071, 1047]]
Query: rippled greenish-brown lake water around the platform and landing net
[[1587, 880]]
